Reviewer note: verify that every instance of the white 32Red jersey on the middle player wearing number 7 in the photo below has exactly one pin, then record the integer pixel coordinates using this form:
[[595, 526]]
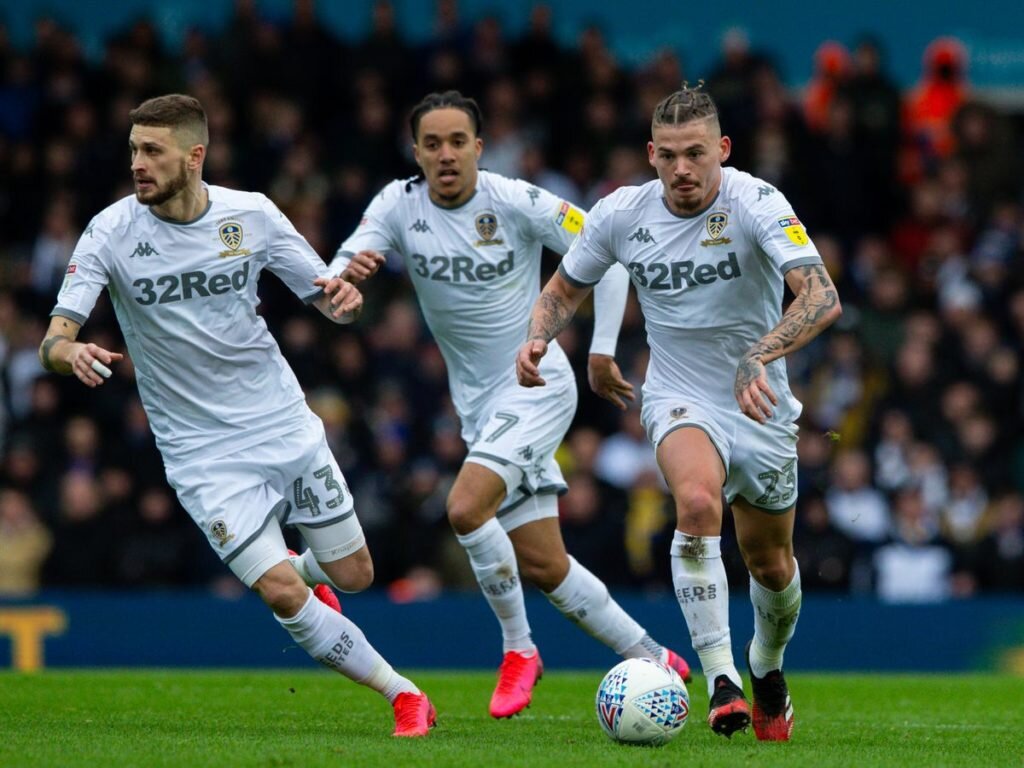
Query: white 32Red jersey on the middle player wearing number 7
[[477, 271]]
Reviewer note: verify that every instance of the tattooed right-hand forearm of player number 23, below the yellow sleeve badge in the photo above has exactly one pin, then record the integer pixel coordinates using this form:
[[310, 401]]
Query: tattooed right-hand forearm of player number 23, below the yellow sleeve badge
[[816, 308]]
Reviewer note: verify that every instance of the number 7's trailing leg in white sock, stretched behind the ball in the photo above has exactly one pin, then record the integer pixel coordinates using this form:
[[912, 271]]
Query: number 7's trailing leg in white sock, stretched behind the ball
[[581, 596]]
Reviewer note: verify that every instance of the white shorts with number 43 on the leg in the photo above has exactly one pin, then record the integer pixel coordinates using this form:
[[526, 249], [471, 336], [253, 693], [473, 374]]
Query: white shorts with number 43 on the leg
[[293, 480]]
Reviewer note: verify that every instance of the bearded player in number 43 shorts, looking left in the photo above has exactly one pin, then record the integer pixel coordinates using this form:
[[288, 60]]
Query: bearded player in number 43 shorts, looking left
[[246, 456]]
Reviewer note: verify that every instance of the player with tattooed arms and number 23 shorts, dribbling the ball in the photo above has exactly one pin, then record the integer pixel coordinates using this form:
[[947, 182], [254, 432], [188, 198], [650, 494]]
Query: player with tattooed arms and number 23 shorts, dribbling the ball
[[708, 249]]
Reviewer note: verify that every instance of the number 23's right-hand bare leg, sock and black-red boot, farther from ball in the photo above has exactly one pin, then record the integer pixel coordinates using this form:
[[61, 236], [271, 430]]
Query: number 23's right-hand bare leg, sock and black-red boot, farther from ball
[[766, 542]]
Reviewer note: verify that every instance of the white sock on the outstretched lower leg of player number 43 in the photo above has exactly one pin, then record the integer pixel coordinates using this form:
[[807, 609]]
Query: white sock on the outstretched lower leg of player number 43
[[337, 644]]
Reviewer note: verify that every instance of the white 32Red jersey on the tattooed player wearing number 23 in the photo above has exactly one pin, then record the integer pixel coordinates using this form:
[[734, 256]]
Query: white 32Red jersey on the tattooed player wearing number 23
[[710, 285]]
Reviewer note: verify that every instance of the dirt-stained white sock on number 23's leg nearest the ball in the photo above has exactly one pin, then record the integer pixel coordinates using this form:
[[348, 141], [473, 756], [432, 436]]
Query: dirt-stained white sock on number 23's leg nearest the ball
[[703, 593]]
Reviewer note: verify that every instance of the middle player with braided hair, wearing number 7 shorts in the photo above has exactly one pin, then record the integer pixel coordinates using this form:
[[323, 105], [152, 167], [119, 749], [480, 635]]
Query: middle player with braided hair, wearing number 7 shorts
[[472, 242]]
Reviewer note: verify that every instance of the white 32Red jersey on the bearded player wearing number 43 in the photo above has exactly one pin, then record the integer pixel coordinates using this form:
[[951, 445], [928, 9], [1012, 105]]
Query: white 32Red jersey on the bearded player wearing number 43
[[210, 375]]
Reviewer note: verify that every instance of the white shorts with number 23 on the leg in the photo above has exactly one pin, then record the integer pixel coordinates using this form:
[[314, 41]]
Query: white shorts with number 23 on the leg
[[760, 460]]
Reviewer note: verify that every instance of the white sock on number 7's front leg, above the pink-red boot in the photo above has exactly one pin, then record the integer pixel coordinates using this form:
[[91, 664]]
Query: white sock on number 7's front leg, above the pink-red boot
[[493, 561]]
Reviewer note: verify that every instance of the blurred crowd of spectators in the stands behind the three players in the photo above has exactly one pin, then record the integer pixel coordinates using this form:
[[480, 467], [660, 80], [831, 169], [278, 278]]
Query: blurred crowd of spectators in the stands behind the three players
[[912, 450]]
